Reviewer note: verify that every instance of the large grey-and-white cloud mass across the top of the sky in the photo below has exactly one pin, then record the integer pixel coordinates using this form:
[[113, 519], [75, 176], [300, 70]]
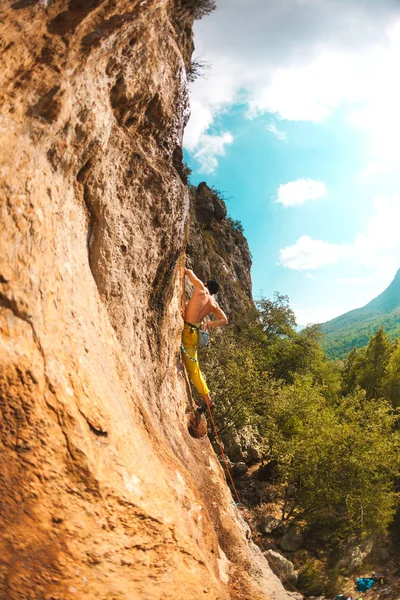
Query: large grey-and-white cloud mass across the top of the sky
[[301, 59]]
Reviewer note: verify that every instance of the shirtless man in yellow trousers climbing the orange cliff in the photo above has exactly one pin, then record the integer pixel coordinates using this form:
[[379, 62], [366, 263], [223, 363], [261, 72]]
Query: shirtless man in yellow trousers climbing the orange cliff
[[200, 305]]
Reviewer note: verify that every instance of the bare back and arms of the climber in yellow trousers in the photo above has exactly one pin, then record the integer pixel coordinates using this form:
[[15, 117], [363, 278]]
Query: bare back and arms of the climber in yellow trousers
[[202, 304]]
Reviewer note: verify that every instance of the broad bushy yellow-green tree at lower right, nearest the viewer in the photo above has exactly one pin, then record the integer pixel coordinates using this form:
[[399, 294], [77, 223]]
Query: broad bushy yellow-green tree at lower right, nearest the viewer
[[338, 463]]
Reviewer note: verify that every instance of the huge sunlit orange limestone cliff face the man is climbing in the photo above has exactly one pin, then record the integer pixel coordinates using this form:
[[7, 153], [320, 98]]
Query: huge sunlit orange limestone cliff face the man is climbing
[[103, 493]]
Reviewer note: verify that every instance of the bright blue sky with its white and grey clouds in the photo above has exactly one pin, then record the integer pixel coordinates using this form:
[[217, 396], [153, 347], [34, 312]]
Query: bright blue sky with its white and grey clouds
[[296, 120]]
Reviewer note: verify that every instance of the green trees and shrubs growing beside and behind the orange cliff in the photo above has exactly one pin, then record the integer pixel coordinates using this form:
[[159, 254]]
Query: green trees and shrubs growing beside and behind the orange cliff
[[326, 432]]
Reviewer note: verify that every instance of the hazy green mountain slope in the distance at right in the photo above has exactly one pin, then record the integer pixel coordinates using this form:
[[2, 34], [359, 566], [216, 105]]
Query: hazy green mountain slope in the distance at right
[[354, 328]]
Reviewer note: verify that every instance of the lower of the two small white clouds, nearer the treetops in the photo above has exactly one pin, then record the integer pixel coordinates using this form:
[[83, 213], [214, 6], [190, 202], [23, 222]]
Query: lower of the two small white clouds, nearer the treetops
[[307, 253]]
